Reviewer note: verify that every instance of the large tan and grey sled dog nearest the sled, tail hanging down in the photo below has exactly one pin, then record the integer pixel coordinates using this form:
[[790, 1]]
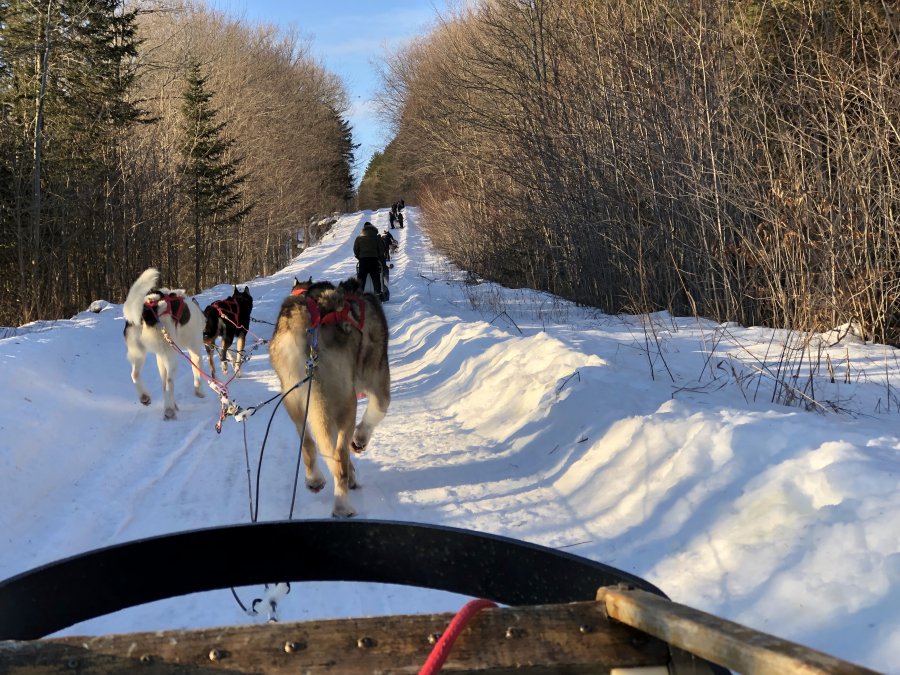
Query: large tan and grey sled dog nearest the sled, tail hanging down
[[350, 358]]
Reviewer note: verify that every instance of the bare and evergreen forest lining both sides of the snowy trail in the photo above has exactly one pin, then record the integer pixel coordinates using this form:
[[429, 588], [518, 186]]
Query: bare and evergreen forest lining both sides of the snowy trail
[[736, 160]]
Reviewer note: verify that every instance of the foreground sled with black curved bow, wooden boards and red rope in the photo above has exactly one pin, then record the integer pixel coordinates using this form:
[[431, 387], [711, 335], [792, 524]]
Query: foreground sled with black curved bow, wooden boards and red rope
[[564, 612]]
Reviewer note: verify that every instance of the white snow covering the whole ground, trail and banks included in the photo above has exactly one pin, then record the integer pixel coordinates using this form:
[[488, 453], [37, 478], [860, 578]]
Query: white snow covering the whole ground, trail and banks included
[[651, 444]]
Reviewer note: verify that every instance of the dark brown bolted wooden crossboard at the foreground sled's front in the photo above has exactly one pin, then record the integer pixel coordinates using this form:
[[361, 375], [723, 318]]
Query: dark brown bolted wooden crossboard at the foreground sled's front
[[565, 638]]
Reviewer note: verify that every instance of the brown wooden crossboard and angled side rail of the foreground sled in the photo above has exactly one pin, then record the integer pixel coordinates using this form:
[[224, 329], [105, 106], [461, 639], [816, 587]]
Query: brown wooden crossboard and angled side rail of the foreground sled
[[581, 637]]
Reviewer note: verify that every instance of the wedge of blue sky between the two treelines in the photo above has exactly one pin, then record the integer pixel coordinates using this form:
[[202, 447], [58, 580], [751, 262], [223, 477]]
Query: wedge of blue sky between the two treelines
[[348, 37]]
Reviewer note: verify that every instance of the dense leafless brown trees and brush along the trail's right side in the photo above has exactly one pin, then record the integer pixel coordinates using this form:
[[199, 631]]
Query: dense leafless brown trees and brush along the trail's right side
[[738, 160]]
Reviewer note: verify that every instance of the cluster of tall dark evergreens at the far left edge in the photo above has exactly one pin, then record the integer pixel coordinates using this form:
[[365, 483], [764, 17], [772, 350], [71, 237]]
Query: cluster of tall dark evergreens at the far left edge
[[66, 71]]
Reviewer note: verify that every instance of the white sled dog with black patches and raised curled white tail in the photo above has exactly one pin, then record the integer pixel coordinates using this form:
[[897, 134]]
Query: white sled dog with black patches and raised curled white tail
[[148, 311]]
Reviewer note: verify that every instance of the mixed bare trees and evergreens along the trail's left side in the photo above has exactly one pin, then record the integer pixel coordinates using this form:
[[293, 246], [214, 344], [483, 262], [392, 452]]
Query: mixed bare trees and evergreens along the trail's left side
[[156, 133]]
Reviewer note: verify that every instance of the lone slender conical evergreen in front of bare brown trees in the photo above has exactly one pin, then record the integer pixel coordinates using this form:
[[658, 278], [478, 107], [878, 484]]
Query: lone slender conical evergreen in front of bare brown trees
[[211, 182]]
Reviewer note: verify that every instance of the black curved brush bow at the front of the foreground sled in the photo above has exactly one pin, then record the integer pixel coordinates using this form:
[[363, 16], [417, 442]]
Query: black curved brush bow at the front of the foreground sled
[[510, 572]]
